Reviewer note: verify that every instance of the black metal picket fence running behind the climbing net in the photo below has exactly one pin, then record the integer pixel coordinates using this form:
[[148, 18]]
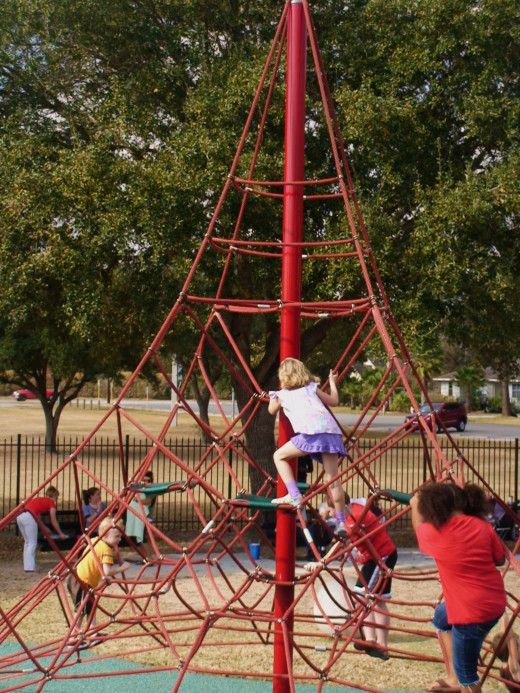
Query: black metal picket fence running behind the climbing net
[[26, 463]]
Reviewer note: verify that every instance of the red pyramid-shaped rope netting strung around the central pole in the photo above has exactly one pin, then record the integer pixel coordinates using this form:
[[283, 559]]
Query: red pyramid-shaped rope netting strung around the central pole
[[205, 604]]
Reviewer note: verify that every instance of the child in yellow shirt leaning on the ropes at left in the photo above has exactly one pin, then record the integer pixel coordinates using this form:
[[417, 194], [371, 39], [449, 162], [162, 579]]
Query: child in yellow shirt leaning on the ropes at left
[[97, 563]]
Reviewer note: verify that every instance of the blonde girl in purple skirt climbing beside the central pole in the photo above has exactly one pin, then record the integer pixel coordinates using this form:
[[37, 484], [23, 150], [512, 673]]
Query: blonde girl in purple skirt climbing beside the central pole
[[316, 432]]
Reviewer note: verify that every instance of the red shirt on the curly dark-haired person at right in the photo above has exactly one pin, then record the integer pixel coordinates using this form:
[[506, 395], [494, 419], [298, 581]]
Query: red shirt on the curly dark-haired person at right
[[466, 550]]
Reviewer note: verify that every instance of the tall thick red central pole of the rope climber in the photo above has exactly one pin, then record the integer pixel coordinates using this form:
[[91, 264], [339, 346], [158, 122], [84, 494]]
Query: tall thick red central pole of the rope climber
[[290, 322]]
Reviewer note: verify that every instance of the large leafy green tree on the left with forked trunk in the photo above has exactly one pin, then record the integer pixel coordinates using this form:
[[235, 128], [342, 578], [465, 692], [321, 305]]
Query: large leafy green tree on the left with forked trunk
[[86, 203]]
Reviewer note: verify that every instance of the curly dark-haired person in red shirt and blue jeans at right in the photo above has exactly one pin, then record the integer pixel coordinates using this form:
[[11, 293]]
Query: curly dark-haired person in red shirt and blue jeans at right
[[450, 526]]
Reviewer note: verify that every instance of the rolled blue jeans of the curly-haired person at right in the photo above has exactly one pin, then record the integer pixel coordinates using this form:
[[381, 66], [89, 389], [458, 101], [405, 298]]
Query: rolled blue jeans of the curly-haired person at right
[[467, 639]]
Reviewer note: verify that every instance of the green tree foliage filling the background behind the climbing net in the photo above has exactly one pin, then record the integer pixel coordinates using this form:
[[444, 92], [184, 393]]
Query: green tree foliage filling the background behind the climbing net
[[119, 123]]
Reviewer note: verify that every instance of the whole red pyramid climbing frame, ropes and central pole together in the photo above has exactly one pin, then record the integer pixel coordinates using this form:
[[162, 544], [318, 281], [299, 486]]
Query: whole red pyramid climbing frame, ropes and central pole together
[[228, 524]]
